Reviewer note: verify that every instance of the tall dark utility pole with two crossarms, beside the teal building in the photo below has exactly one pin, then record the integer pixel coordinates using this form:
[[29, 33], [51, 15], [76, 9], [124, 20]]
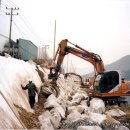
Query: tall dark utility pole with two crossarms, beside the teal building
[[11, 19]]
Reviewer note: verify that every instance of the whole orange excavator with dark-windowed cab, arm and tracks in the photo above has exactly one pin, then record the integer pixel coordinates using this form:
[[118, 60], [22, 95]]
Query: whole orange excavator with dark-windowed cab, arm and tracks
[[107, 85]]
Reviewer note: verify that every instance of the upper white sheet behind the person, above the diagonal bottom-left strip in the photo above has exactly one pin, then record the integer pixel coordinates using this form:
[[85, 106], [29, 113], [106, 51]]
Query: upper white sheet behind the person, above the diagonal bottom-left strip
[[13, 73]]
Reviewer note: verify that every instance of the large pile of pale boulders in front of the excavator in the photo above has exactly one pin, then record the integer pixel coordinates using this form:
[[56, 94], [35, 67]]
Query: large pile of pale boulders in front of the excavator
[[69, 109]]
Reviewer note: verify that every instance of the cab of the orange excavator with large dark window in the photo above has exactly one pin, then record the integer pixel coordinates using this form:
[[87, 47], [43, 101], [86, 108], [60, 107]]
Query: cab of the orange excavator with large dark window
[[107, 81]]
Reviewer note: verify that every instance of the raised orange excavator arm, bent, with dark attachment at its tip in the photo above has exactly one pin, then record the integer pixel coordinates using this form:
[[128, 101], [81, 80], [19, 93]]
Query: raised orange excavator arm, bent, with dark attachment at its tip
[[63, 50]]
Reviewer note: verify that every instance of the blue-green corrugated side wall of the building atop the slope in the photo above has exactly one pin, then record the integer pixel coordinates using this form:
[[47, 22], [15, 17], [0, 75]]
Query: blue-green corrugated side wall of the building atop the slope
[[27, 50]]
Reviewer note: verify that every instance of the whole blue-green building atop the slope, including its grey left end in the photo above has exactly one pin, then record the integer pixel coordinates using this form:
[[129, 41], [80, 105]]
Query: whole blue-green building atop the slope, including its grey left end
[[21, 49]]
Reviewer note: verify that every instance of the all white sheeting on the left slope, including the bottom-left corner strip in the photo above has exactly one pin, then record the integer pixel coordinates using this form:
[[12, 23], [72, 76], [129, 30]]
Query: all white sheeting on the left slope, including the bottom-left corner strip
[[13, 73]]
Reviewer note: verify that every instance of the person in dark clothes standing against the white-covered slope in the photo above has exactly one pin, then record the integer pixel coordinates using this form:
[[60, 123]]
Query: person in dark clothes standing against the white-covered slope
[[32, 90]]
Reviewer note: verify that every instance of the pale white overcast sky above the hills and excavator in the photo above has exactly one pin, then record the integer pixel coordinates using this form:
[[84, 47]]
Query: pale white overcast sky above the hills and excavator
[[99, 26]]
